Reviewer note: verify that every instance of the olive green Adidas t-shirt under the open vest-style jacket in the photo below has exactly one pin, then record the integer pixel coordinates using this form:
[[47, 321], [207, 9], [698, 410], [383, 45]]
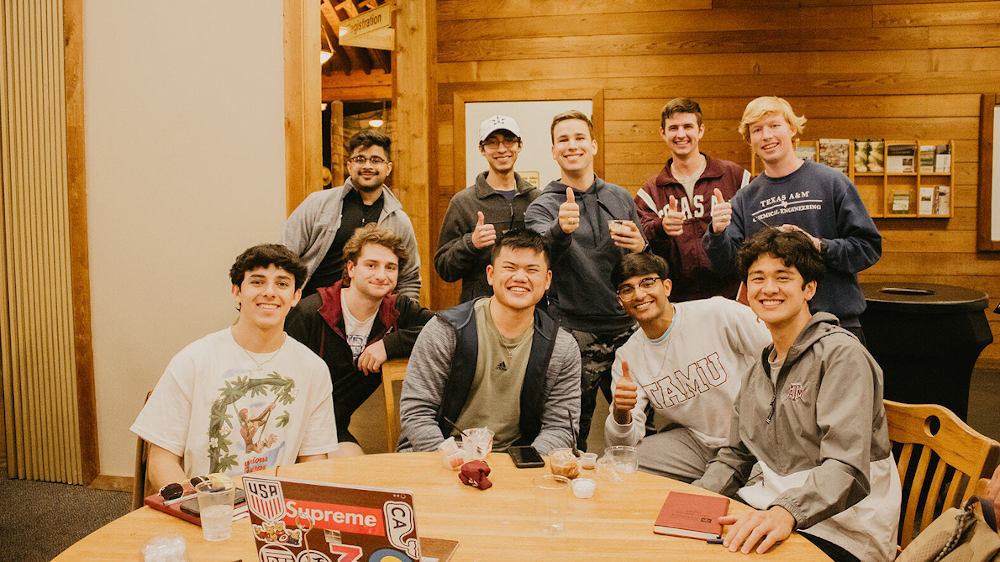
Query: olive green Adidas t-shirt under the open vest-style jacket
[[495, 395]]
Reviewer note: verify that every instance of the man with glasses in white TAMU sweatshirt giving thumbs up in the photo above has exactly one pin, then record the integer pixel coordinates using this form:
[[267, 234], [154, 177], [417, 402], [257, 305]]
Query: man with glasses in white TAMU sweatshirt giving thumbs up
[[686, 361]]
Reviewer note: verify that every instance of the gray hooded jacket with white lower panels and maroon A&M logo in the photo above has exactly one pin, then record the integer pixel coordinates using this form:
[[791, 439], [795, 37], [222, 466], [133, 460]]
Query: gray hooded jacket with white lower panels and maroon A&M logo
[[820, 435]]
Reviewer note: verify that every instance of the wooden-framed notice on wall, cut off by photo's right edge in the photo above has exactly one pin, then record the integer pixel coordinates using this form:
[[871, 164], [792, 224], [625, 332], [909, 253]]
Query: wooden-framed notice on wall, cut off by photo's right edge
[[988, 220]]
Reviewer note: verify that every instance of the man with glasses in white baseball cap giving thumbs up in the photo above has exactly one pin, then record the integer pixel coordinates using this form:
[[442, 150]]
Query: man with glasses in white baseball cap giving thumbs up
[[480, 213]]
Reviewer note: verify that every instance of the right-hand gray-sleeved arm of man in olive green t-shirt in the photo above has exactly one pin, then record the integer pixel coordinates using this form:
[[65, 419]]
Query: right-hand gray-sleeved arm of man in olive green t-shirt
[[561, 411]]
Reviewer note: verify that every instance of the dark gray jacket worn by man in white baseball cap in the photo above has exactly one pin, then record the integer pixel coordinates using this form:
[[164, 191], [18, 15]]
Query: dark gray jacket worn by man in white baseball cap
[[456, 257]]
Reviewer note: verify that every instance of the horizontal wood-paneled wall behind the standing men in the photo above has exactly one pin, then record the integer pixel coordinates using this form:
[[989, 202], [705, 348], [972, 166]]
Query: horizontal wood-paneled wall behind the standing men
[[855, 68]]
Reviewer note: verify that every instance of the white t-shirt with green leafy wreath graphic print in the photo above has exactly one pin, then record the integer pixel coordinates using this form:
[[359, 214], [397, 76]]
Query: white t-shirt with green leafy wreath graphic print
[[221, 412]]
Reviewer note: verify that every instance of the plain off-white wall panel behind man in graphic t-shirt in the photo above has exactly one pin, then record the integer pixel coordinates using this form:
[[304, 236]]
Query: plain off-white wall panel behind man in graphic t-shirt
[[185, 169]]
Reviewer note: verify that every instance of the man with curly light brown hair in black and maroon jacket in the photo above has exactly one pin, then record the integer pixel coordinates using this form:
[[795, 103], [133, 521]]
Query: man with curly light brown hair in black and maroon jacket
[[360, 322]]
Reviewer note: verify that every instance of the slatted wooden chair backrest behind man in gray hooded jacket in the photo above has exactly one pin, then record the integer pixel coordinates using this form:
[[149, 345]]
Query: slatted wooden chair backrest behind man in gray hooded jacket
[[941, 461]]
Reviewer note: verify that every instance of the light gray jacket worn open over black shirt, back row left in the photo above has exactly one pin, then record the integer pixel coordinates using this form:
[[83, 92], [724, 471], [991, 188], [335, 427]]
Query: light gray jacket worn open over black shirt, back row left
[[311, 228]]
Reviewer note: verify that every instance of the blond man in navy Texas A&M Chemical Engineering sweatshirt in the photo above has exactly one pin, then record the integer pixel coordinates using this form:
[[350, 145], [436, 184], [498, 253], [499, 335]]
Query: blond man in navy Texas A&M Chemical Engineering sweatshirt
[[798, 195]]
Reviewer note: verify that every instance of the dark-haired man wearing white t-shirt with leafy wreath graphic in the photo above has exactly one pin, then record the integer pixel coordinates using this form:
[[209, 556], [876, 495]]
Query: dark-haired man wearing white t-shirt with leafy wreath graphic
[[247, 397]]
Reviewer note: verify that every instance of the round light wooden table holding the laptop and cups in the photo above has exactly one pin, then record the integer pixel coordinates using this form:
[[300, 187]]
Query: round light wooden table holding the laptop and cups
[[495, 524]]
